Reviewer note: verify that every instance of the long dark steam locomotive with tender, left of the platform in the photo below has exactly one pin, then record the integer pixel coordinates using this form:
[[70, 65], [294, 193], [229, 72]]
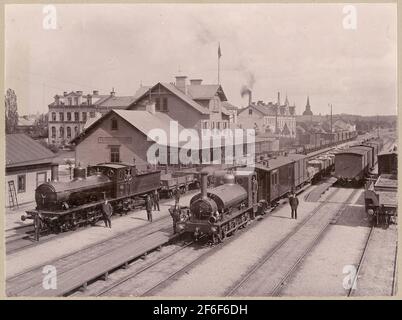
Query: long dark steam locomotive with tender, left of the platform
[[62, 206]]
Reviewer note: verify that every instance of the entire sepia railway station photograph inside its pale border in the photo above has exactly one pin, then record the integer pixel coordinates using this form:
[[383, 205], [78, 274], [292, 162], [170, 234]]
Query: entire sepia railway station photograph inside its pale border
[[201, 150]]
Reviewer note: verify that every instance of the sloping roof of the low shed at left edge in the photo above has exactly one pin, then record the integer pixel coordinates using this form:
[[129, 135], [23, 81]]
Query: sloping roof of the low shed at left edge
[[23, 150]]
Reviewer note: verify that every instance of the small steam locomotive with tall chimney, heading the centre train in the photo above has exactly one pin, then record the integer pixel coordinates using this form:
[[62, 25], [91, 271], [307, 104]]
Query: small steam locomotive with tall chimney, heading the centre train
[[219, 211]]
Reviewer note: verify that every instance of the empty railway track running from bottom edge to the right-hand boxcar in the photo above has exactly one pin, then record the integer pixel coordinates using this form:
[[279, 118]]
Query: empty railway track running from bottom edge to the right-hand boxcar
[[283, 260]]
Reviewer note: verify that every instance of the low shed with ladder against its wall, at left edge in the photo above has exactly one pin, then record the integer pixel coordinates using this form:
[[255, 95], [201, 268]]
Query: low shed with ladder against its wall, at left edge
[[28, 164]]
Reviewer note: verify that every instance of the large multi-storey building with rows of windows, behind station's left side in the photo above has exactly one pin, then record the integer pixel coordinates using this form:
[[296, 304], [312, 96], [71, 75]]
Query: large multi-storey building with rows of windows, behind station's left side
[[69, 112]]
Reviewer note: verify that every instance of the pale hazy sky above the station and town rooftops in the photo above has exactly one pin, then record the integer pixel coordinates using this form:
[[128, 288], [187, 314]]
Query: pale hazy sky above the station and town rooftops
[[299, 50]]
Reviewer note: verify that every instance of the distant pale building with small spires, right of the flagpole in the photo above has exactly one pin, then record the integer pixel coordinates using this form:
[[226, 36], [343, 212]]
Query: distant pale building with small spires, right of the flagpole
[[270, 117]]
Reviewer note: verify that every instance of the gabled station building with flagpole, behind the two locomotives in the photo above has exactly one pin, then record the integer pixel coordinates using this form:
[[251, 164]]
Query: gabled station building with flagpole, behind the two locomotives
[[125, 135]]
